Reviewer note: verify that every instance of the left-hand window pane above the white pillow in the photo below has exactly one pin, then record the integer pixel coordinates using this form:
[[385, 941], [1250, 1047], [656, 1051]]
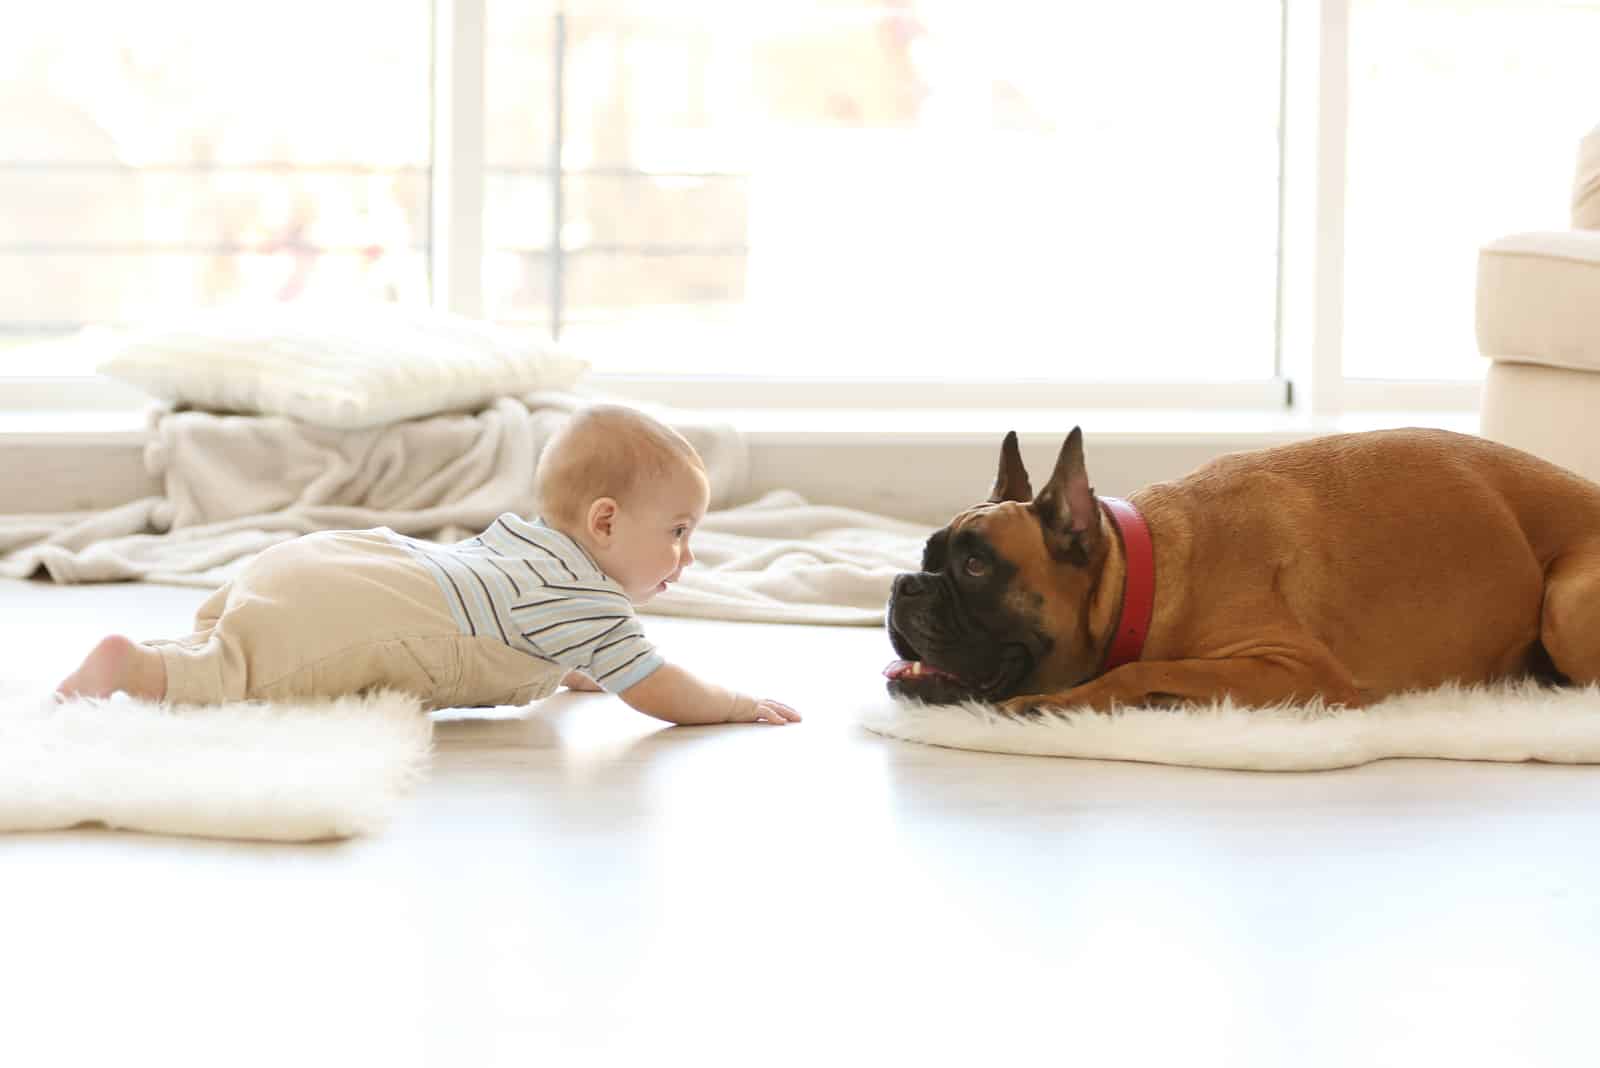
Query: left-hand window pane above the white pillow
[[174, 154]]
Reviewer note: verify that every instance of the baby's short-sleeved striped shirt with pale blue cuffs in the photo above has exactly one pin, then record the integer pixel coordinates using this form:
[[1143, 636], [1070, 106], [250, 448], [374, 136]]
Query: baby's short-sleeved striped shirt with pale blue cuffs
[[540, 592]]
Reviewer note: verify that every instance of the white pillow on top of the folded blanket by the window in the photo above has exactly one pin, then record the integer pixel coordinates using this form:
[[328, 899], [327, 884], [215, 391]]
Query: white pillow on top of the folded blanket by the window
[[343, 369]]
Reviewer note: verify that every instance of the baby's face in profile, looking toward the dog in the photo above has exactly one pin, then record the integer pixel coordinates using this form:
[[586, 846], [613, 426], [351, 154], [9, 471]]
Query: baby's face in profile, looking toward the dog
[[654, 528]]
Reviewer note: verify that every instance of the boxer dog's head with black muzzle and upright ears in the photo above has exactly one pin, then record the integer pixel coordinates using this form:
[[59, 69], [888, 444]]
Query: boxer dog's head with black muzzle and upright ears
[[1001, 605]]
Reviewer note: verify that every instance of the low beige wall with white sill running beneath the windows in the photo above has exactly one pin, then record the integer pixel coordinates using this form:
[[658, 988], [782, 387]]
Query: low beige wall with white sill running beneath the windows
[[916, 464]]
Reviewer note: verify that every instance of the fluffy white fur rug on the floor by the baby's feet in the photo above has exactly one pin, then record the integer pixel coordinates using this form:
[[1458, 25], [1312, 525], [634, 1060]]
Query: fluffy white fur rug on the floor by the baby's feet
[[281, 773]]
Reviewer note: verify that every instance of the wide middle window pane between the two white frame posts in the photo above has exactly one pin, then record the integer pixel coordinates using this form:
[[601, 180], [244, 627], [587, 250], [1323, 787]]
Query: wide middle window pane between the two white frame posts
[[932, 188]]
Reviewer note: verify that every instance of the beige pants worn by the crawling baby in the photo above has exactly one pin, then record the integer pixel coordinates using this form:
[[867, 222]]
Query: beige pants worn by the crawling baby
[[340, 613]]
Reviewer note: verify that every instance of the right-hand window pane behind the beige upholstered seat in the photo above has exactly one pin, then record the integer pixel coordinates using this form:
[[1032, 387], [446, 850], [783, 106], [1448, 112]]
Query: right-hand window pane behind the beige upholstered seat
[[1465, 126]]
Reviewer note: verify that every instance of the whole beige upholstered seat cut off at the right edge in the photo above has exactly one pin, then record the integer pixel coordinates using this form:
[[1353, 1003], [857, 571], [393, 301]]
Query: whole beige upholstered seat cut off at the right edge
[[1538, 319]]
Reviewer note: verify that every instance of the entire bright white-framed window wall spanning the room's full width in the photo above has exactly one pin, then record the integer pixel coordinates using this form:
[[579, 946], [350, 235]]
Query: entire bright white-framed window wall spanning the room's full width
[[804, 189]]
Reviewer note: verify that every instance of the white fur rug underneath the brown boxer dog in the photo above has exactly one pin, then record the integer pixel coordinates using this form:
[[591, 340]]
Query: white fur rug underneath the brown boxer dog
[[1516, 722]]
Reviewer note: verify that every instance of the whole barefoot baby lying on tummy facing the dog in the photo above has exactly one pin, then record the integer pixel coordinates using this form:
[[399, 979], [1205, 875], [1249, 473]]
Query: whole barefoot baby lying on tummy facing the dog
[[498, 620]]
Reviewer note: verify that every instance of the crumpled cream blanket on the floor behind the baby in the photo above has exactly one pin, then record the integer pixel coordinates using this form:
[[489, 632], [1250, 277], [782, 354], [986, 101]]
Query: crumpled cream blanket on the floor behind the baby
[[236, 485]]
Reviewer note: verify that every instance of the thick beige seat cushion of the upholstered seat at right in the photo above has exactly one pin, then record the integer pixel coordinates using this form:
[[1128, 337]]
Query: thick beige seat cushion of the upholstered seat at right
[[1540, 300]]
